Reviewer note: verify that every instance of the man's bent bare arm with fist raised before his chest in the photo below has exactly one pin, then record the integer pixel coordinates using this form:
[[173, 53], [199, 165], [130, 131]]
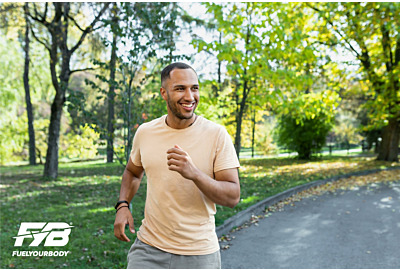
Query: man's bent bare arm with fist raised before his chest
[[223, 190]]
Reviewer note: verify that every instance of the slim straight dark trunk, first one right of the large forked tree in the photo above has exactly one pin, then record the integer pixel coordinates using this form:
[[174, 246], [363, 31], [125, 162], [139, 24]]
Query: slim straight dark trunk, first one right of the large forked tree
[[111, 95]]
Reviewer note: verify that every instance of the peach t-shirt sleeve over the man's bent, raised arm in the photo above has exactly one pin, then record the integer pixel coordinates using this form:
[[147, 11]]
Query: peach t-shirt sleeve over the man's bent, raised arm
[[225, 157]]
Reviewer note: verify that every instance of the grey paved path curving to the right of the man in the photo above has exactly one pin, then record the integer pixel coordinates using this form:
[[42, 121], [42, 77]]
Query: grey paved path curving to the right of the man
[[349, 229]]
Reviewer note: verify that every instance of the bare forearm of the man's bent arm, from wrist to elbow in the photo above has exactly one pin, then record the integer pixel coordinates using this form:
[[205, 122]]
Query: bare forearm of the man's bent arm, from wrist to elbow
[[224, 193]]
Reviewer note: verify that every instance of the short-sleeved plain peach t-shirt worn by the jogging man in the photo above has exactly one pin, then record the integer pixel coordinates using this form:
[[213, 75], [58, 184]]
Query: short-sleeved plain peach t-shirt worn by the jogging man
[[179, 218]]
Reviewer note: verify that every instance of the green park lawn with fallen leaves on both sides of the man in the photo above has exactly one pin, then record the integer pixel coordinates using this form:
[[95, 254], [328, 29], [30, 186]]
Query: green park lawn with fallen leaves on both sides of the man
[[85, 193]]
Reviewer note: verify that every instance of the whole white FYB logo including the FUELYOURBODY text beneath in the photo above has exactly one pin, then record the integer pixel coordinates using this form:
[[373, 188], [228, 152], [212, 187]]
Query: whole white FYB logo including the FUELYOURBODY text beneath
[[53, 234]]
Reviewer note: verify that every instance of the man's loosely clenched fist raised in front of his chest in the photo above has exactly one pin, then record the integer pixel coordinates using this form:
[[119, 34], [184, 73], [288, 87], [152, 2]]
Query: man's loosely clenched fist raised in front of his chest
[[180, 161]]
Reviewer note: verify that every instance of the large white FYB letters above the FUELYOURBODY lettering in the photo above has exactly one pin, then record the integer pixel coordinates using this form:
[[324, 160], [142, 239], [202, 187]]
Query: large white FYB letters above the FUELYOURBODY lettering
[[56, 233]]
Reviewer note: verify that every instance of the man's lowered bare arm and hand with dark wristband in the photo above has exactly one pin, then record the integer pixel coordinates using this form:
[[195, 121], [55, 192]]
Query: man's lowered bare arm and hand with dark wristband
[[129, 186]]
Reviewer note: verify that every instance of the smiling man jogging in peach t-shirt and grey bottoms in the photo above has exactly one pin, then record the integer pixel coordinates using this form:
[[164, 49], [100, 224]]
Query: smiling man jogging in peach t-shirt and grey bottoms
[[191, 165]]
